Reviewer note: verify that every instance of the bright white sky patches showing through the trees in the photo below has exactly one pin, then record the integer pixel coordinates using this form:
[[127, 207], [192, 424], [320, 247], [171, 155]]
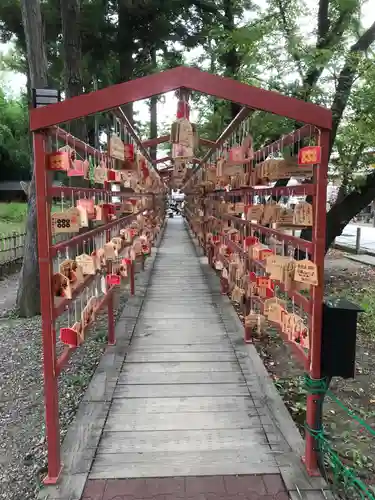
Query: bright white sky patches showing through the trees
[[167, 110]]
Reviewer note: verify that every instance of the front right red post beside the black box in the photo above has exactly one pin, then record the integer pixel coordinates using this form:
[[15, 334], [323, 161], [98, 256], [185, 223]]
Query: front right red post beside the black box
[[318, 239]]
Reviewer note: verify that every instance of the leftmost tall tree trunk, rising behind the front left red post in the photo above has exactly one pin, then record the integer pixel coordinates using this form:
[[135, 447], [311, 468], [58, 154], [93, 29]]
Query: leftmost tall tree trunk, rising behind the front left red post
[[28, 295]]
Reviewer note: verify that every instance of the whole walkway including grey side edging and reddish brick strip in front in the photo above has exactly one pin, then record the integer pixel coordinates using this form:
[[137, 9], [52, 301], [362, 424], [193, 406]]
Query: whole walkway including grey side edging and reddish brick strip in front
[[190, 412]]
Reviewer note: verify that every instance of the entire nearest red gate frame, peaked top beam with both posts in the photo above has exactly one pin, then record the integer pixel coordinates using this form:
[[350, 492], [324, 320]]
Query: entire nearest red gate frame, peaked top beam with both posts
[[223, 88]]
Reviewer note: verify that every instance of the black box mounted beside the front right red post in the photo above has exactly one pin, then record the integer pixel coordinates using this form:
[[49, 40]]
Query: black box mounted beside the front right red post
[[339, 335]]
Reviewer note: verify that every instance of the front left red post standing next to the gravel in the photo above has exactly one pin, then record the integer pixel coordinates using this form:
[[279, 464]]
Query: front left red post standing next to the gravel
[[51, 398]]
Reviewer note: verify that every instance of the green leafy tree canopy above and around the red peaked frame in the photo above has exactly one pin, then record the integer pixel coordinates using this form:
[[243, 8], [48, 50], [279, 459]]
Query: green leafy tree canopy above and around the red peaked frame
[[317, 52]]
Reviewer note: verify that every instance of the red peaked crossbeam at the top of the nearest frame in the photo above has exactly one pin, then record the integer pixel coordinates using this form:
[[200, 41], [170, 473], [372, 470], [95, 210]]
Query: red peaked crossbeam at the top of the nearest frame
[[166, 81]]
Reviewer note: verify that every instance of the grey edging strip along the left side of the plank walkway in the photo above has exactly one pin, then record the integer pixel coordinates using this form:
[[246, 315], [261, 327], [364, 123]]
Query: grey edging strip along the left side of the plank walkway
[[82, 439]]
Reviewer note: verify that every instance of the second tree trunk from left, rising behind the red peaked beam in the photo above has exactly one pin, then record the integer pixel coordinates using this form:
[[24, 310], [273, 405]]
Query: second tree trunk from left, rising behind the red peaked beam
[[73, 81]]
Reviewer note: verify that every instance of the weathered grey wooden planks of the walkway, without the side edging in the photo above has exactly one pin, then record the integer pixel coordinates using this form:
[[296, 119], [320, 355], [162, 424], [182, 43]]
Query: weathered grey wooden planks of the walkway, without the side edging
[[182, 406]]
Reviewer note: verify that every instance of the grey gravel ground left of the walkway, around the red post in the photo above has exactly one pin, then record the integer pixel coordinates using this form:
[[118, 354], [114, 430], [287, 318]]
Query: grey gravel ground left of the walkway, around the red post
[[22, 444]]
